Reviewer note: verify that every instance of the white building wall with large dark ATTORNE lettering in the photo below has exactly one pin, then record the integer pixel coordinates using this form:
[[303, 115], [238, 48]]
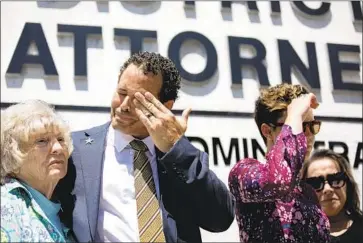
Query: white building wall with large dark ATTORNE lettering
[[69, 54]]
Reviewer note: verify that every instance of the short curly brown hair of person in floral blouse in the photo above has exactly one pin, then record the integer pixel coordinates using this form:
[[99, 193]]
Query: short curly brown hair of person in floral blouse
[[273, 102]]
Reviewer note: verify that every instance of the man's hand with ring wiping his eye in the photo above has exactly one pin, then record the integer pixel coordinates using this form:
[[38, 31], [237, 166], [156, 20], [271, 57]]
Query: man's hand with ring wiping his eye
[[164, 128]]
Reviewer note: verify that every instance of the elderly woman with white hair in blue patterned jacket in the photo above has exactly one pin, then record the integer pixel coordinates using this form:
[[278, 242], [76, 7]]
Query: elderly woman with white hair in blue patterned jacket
[[35, 147]]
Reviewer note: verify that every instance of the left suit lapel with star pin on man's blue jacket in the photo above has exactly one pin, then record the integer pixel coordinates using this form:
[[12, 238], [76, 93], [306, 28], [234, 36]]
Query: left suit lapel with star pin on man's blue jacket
[[92, 150]]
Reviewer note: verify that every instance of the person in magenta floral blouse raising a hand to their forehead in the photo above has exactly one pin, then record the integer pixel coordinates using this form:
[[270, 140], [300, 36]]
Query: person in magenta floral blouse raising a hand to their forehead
[[271, 203]]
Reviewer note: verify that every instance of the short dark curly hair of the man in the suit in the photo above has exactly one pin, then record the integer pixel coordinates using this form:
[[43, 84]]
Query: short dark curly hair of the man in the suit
[[151, 62]]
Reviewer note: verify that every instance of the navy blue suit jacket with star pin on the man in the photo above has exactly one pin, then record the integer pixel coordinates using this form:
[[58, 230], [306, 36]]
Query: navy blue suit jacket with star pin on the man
[[191, 194]]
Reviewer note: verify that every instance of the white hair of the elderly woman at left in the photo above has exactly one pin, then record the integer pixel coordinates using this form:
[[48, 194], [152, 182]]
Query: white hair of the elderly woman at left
[[18, 124]]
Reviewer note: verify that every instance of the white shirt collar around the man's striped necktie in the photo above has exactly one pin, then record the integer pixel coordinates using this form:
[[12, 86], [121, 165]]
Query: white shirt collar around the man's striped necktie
[[121, 140]]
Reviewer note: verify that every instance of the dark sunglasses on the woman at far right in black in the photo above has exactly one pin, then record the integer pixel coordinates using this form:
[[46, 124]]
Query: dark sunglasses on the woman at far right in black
[[335, 181]]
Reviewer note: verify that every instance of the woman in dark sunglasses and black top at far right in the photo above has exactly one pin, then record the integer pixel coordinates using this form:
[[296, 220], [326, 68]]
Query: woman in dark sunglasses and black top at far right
[[331, 177]]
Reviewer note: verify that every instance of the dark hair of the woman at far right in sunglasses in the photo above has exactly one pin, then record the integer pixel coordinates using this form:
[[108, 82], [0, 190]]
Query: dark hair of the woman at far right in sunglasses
[[352, 204]]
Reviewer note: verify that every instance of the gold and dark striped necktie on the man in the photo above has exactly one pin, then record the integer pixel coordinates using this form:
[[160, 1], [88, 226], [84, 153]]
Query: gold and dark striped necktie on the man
[[148, 213]]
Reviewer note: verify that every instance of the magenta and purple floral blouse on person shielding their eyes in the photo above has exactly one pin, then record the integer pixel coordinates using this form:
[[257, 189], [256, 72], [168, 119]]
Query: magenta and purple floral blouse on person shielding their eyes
[[272, 204]]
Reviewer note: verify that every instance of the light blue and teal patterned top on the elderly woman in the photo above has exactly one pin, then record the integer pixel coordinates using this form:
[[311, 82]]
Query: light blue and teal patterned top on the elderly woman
[[24, 220]]
